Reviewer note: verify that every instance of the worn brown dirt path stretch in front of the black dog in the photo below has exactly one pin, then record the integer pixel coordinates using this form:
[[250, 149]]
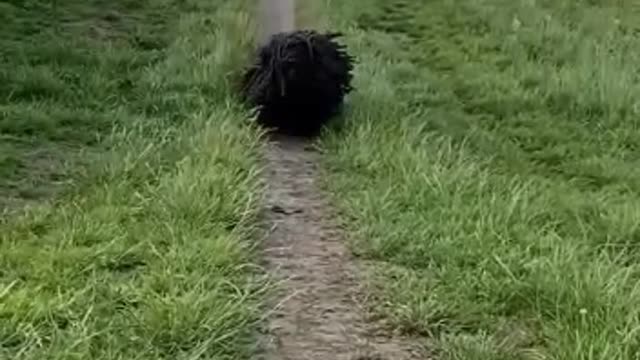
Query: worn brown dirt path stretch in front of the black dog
[[318, 316]]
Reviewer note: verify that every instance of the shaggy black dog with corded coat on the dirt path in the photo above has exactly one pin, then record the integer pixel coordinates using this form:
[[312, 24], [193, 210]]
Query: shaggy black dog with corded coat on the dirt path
[[298, 81]]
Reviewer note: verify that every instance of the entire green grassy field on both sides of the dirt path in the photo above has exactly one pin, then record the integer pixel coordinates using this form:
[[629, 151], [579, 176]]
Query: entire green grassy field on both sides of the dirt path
[[488, 172]]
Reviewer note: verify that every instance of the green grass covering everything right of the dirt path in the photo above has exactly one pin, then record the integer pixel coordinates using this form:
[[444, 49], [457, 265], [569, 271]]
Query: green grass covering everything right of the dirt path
[[488, 170]]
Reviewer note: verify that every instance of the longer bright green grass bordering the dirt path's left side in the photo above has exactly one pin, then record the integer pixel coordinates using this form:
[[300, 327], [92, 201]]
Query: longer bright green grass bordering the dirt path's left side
[[150, 256]]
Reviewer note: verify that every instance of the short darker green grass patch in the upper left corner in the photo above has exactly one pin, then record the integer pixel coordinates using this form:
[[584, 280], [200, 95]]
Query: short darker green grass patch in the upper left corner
[[69, 72]]
